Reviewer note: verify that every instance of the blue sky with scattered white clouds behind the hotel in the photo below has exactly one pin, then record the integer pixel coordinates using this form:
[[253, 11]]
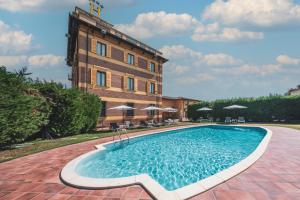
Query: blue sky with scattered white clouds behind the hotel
[[216, 49]]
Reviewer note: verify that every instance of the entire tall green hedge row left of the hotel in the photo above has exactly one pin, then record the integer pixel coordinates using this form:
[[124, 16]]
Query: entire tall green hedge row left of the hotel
[[30, 109]]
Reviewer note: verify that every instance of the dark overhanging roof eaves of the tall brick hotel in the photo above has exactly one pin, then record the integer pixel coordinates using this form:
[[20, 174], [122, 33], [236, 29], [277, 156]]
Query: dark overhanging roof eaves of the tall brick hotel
[[82, 16]]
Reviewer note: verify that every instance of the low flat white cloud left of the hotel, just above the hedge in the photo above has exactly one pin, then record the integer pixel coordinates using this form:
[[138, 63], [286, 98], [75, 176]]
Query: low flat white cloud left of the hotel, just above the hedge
[[36, 61]]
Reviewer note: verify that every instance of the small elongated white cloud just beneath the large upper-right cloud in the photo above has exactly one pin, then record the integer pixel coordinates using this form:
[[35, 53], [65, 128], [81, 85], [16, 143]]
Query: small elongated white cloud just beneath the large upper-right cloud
[[213, 32]]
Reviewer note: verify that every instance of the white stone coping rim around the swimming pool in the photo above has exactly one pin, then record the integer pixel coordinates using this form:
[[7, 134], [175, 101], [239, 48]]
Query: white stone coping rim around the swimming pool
[[70, 177]]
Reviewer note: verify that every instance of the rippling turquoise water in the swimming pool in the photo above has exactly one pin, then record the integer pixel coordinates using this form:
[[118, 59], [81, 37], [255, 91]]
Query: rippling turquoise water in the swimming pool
[[174, 158]]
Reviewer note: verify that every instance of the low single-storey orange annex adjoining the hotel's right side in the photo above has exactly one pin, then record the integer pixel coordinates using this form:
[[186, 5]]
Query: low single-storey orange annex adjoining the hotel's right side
[[179, 103]]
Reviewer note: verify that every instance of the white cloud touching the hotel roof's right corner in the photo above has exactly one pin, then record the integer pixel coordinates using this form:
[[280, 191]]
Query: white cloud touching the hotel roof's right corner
[[182, 53]]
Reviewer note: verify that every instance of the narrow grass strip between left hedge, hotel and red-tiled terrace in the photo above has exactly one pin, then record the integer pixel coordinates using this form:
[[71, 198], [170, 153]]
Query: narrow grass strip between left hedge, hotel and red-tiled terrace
[[37, 146]]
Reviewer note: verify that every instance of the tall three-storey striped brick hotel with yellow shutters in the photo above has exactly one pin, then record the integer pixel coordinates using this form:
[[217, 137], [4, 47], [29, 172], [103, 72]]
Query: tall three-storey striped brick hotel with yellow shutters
[[118, 68]]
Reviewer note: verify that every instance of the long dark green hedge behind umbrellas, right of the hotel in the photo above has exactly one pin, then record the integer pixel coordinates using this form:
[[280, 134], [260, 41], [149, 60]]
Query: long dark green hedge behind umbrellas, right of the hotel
[[262, 109]]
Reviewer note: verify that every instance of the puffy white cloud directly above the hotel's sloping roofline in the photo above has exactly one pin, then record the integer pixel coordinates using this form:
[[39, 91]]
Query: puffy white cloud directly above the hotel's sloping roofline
[[147, 25]]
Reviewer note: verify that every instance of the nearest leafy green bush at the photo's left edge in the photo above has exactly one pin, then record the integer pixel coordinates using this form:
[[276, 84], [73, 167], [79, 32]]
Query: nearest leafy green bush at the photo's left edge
[[23, 111]]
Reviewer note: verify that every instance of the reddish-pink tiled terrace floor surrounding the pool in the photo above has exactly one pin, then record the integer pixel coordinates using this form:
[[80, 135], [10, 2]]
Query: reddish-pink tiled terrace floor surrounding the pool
[[276, 175]]
